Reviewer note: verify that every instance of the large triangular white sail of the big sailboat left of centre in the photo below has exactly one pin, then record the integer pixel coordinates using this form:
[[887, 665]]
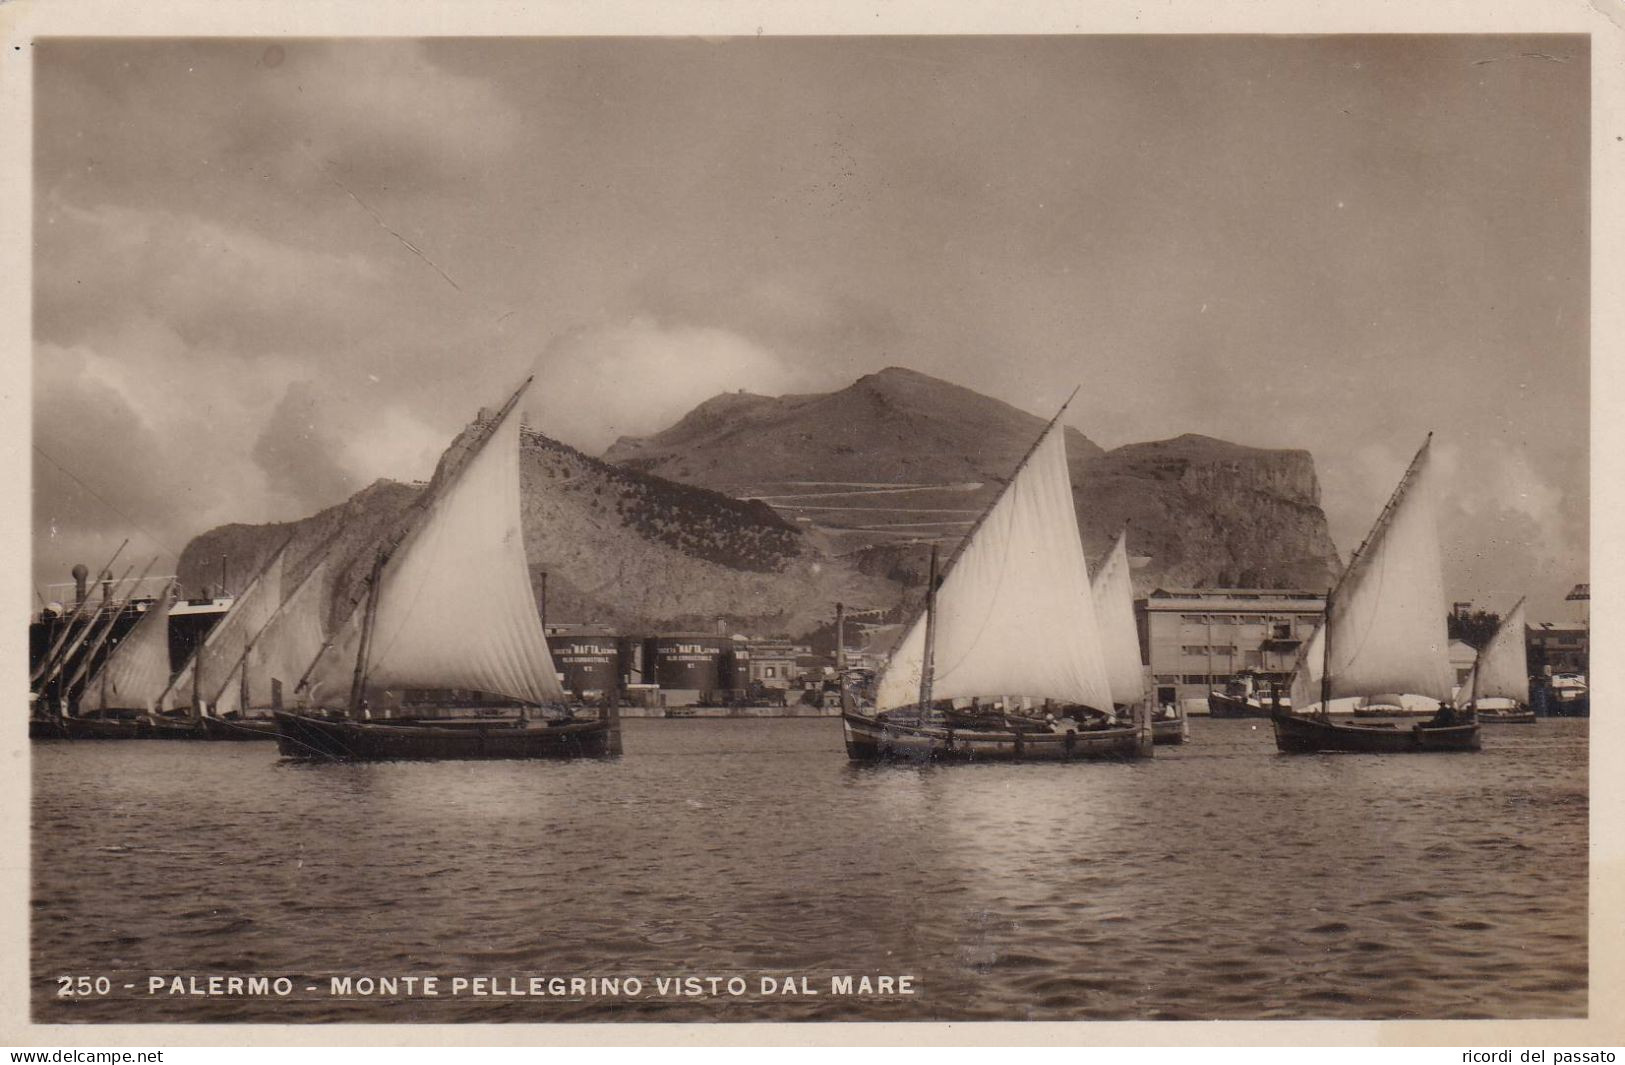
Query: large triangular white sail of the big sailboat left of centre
[[454, 604]]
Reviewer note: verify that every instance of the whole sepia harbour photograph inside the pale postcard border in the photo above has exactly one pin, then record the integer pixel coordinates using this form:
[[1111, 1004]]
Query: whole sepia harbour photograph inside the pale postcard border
[[773, 528]]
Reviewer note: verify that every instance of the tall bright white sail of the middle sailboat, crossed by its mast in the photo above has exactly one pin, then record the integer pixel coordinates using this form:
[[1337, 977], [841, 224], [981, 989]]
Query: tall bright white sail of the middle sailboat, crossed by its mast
[[1015, 614]]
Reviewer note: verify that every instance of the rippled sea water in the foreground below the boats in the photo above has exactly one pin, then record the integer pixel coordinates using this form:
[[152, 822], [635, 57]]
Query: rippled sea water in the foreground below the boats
[[730, 871]]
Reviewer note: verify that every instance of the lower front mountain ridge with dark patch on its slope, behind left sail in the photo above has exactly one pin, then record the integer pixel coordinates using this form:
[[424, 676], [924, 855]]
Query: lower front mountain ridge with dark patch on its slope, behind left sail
[[620, 547]]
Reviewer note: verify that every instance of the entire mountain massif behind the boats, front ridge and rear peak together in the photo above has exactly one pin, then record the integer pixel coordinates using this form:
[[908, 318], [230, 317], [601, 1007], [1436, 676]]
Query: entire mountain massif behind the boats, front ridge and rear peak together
[[765, 513]]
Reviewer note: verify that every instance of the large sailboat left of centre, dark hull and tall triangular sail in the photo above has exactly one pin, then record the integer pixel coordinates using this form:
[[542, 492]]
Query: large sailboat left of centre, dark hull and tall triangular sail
[[448, 607]]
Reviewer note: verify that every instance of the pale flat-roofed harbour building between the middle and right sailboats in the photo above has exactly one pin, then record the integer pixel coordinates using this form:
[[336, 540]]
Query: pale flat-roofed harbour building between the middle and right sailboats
[[1198, 640]]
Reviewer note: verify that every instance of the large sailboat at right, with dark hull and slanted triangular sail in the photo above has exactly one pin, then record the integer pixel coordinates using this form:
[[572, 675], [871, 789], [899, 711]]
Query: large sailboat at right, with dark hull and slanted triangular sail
[[1384, 632]]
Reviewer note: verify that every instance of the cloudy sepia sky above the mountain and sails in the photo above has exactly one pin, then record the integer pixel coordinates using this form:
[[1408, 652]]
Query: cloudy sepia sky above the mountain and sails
[[269, 272]]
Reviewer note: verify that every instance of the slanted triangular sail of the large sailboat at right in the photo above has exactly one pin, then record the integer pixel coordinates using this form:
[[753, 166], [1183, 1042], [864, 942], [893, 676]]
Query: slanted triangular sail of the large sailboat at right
[[1387, 617]]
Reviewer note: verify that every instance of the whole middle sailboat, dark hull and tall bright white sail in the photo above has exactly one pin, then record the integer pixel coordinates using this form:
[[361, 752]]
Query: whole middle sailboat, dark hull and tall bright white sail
[[1005, 661]]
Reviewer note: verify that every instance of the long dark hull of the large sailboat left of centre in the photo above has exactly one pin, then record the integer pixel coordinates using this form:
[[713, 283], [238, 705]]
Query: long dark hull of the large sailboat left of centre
[[305, 737]]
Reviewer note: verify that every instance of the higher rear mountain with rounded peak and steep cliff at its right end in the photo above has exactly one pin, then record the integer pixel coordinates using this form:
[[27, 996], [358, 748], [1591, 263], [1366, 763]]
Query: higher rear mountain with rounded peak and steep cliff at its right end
[[899, 458]]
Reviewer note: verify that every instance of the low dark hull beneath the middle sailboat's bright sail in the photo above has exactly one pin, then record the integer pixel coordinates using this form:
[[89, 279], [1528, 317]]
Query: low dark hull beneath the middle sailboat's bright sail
[[877, 741]]
